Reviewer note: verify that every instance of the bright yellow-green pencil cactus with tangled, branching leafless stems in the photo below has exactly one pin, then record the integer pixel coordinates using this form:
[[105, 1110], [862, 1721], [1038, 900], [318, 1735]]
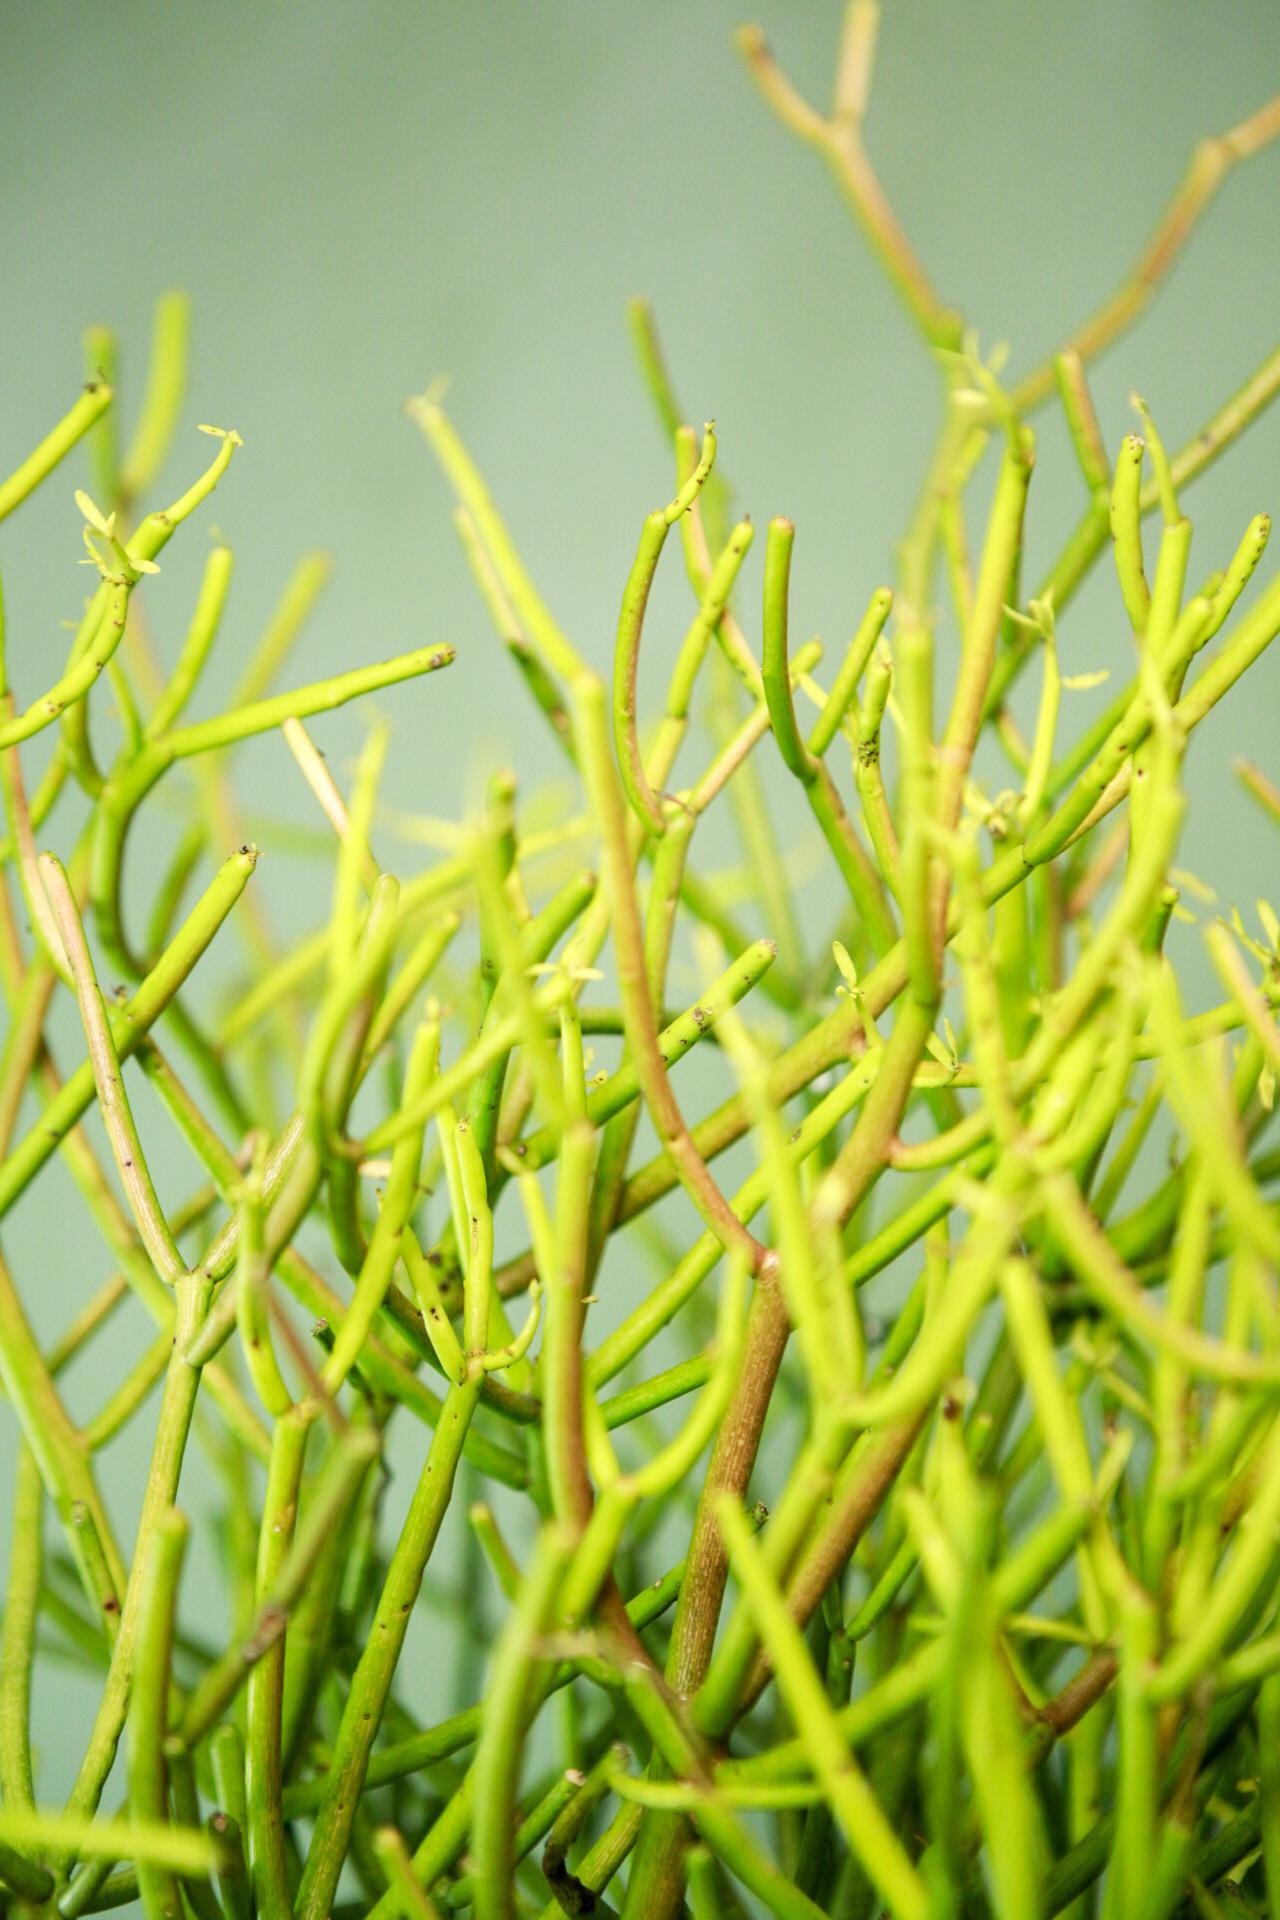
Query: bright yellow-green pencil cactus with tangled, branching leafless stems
[[1008, 1637]]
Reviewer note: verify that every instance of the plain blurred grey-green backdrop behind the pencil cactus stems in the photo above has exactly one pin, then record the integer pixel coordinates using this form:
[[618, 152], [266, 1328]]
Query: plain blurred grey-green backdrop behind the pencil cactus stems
[[367, 195]]
